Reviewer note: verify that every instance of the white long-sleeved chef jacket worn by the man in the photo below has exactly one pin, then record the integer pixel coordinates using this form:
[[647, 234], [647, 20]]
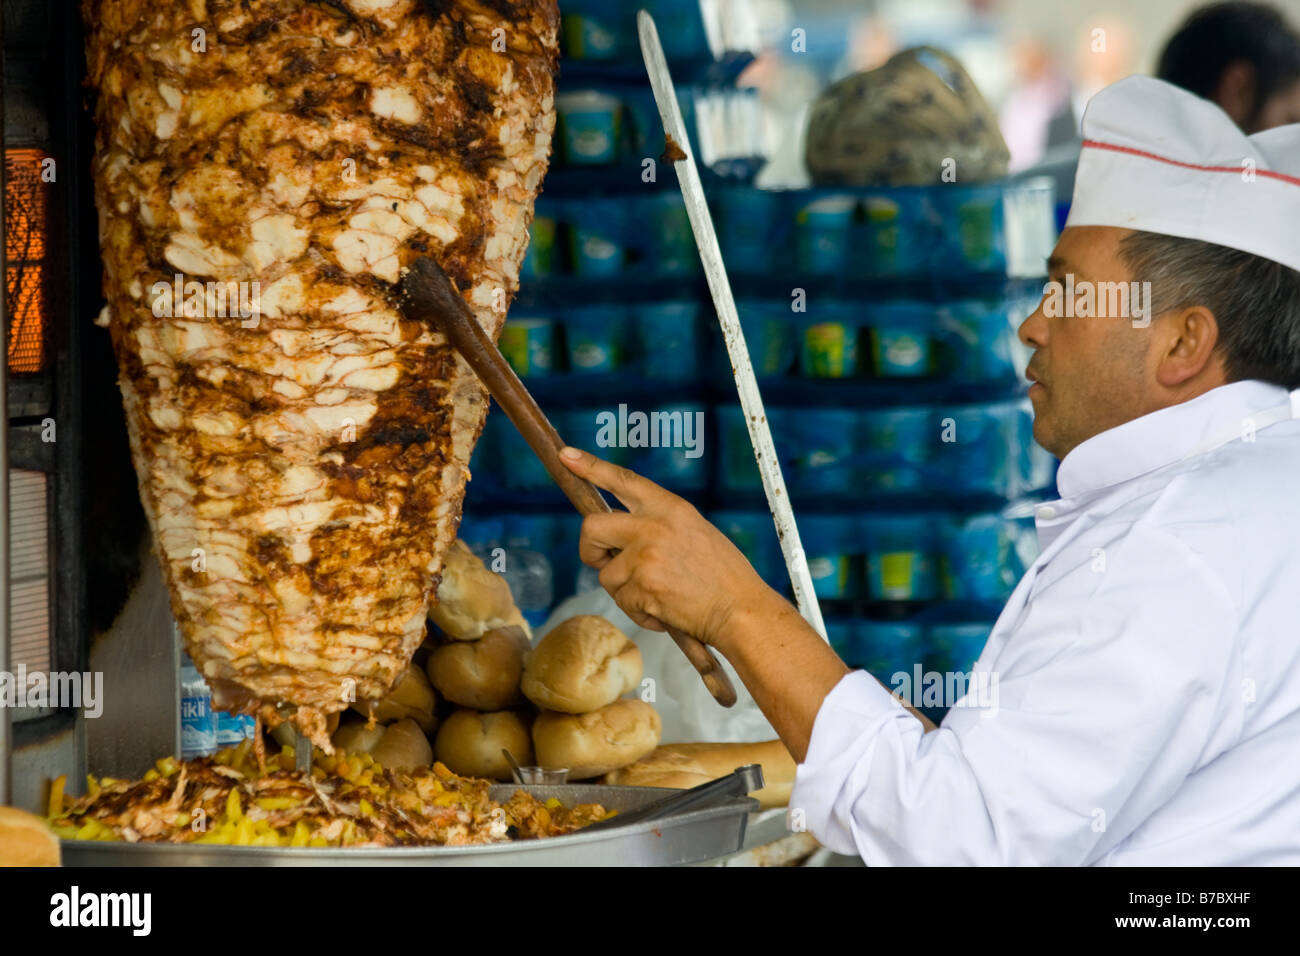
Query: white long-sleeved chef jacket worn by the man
[[1147, 668]]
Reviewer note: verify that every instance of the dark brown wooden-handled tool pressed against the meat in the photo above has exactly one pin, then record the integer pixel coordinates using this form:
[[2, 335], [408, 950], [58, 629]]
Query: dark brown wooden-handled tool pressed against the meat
[[428, 297]]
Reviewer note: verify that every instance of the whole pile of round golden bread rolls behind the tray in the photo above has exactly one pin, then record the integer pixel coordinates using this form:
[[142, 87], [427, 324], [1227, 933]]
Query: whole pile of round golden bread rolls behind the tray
[[557, 706]]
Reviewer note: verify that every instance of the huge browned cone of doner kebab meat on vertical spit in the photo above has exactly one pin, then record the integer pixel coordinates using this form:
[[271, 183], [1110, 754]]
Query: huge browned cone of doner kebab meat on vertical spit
[[304, 469]]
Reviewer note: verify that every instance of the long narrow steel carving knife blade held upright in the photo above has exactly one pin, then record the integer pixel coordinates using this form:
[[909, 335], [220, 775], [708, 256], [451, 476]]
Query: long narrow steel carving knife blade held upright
[[747, 386]]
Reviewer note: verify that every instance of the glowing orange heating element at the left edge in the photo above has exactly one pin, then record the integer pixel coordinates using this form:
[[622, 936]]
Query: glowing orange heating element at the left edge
[[25, 265]]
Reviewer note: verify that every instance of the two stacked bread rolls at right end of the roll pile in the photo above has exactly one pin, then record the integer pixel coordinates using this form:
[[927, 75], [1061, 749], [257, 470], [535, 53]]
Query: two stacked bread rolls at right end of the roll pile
[[578, 676]]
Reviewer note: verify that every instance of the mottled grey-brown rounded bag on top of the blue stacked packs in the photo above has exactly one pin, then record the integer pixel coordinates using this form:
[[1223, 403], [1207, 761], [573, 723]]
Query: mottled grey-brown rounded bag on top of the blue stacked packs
[[896, 126]]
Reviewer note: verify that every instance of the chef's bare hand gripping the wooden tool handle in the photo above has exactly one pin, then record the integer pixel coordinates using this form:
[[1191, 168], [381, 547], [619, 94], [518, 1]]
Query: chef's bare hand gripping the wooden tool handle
[[674, 569]]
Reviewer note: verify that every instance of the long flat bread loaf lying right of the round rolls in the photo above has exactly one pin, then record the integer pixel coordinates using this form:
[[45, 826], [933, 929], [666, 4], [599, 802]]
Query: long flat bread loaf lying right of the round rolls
[[690, 765]]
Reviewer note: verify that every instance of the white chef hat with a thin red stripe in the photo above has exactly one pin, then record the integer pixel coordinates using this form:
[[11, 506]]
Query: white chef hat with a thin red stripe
[[1160, 159]]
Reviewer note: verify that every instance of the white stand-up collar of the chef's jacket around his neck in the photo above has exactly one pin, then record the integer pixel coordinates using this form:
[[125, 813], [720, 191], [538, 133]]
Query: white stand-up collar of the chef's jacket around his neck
[[1164, 438]]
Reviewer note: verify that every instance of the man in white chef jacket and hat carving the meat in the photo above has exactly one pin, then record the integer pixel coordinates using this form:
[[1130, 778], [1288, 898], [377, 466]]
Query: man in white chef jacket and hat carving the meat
[[1147, 668]]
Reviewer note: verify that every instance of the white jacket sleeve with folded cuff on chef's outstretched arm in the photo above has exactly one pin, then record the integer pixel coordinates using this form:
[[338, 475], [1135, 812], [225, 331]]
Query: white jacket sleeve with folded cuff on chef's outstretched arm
[[1107, 694]]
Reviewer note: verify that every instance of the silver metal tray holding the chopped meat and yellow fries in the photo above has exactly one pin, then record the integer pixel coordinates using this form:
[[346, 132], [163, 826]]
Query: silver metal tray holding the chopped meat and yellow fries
[[682, 840]]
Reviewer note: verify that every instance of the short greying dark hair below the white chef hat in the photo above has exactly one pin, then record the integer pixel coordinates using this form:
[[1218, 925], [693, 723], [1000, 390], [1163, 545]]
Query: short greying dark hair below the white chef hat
[[1255, 301]]
